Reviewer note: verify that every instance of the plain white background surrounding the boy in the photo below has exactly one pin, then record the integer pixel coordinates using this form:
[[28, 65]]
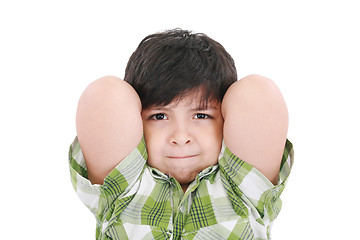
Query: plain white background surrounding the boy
[[51, 50]]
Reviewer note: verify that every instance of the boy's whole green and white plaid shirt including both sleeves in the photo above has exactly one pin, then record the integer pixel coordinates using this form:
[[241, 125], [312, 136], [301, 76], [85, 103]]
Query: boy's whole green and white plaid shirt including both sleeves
[[231, 200]]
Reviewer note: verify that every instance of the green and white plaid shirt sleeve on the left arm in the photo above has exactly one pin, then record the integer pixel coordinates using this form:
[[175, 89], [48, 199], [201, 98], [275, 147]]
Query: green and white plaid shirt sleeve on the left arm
[[118, 183]]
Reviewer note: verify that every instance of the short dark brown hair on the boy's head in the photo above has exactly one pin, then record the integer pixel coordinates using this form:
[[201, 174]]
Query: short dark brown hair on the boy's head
[[174, 63]]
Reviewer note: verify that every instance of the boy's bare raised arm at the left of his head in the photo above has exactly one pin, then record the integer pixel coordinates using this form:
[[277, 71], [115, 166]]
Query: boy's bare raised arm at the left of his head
[[108, 124]]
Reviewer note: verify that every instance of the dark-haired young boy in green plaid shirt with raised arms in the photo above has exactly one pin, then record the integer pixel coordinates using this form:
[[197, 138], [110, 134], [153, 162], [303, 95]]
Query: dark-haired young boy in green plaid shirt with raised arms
[[181, 149]]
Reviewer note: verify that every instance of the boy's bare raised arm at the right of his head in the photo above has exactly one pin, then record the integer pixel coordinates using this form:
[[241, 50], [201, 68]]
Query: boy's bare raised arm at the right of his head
[[256, 123]]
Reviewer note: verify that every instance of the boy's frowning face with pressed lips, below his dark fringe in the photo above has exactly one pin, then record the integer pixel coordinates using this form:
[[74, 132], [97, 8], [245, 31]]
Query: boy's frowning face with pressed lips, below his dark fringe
[[183, 139]]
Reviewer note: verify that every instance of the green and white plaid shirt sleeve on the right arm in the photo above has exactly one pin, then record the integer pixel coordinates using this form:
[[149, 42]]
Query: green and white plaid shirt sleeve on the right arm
[[253, 188]]
